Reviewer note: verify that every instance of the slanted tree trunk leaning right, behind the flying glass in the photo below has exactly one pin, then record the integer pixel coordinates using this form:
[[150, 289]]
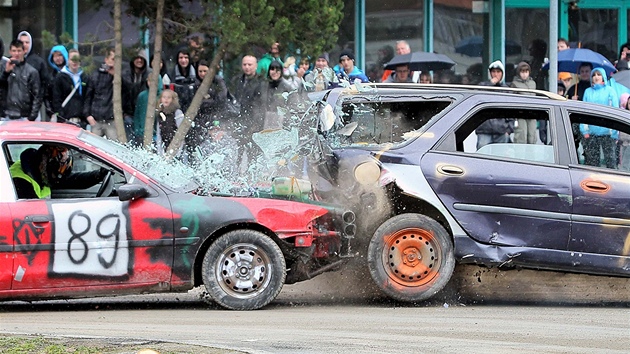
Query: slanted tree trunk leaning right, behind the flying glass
[[191, 113]]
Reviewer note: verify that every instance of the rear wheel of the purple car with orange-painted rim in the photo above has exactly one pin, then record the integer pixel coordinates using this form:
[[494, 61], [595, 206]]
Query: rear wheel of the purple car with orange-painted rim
[[410, 257]]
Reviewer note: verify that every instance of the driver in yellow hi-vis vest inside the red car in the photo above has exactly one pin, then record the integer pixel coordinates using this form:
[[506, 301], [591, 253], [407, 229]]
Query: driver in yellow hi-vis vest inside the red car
[[50, 166]]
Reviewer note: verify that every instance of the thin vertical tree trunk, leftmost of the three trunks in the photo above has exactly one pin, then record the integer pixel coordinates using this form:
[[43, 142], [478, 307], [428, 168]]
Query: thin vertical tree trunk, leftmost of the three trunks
[[118, 113]]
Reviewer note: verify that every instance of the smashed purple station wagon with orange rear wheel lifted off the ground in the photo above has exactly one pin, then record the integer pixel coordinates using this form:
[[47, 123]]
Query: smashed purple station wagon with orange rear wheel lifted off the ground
[[405, 157]]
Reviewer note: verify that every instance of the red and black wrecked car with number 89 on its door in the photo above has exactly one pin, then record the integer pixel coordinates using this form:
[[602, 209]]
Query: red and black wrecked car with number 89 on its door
[[144, 228]]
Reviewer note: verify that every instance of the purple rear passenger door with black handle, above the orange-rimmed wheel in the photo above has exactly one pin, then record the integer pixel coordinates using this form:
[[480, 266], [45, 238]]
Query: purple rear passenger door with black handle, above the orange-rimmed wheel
[[513, 194]]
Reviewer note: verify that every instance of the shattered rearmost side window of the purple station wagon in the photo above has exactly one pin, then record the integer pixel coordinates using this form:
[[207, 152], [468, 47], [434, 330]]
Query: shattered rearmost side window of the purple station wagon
[[382, 120]]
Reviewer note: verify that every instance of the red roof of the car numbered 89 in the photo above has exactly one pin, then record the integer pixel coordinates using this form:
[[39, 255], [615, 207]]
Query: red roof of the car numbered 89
[[12, 129]]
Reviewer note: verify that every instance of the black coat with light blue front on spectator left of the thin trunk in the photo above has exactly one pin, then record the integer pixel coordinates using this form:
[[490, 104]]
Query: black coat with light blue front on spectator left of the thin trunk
[[62, 87]]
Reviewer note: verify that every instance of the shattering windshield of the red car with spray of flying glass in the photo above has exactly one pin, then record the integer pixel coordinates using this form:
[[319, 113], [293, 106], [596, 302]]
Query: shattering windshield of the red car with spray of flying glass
[[220, 165]]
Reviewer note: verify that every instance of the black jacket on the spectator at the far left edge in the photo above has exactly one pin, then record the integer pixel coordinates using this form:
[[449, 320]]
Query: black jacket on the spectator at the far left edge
[[24, 96]]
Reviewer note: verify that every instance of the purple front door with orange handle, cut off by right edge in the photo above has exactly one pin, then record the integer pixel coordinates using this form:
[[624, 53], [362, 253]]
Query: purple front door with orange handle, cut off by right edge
[[601, 187]]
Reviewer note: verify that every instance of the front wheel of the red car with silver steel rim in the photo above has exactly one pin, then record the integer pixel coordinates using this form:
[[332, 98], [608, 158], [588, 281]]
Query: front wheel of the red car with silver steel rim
[[244, 270]]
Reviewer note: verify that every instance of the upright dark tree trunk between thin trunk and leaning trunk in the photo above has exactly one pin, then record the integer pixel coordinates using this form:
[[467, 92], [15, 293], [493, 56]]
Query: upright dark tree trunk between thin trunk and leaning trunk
[[155, 74]]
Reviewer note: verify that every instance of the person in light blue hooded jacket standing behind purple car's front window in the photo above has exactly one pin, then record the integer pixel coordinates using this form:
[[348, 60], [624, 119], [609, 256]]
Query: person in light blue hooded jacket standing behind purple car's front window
[[596, 137]]
